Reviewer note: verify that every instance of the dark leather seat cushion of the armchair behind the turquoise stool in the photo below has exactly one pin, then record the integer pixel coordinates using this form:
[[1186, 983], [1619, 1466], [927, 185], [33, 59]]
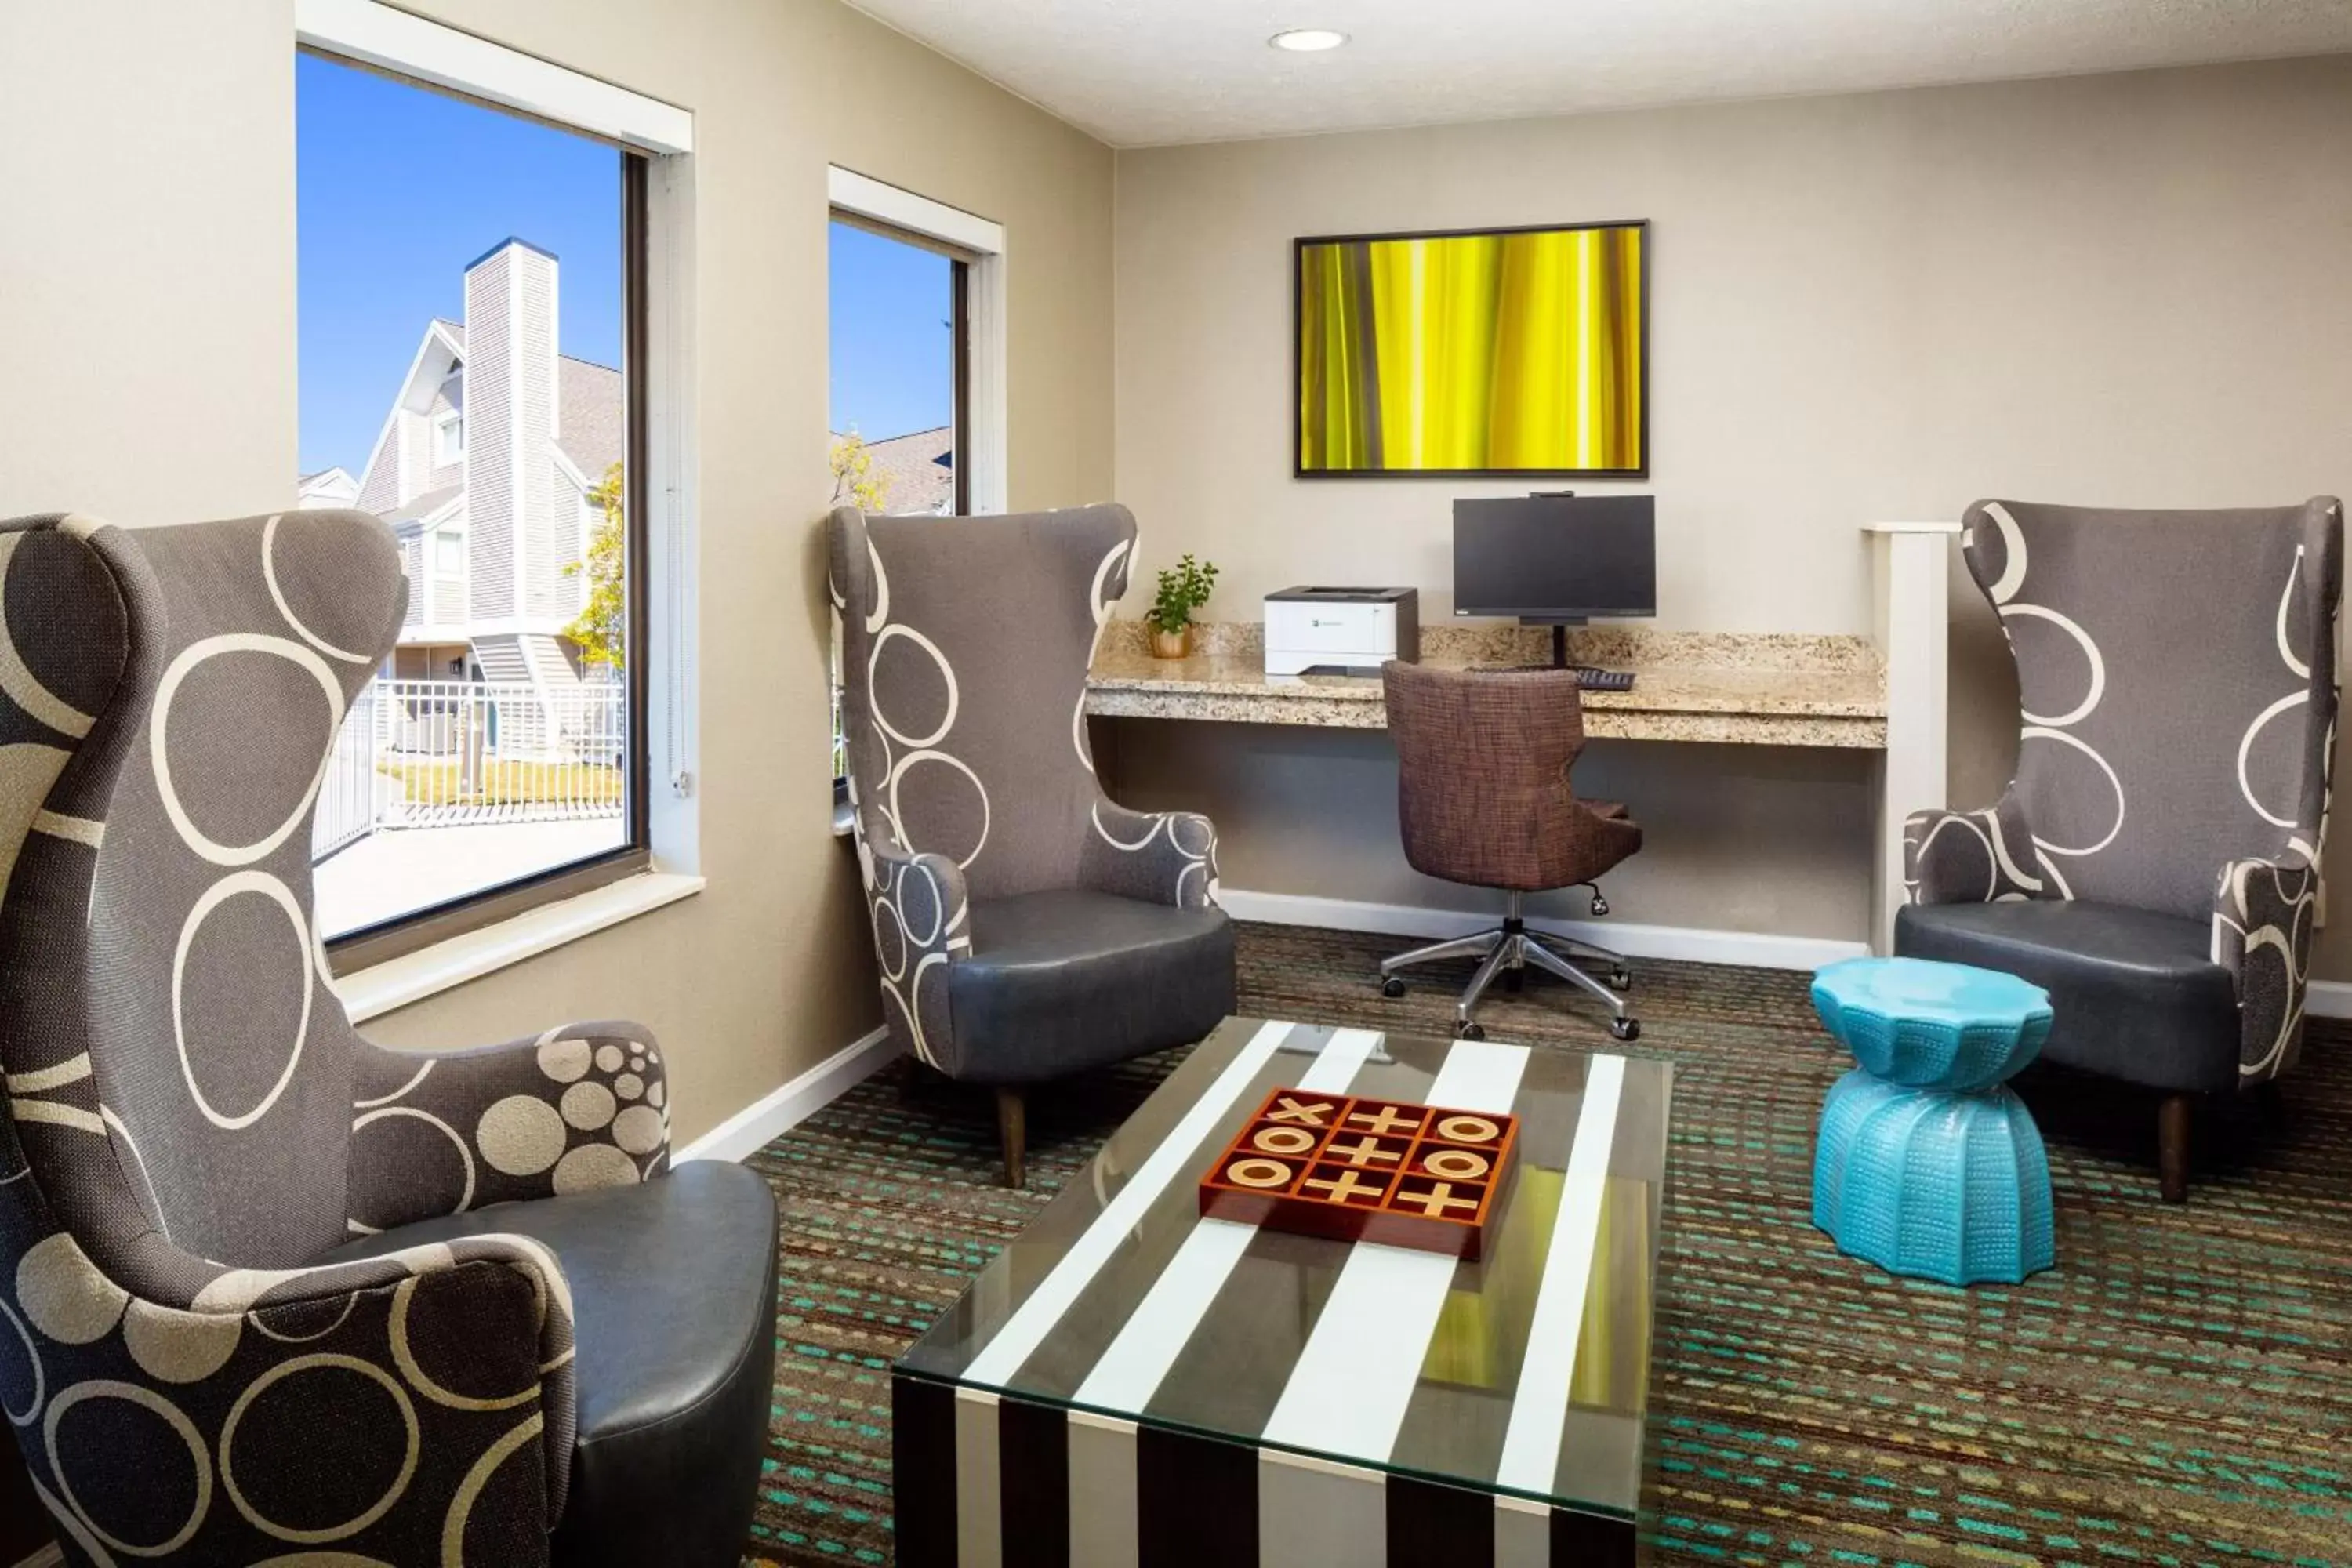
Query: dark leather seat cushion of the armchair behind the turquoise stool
[[2134, 996]]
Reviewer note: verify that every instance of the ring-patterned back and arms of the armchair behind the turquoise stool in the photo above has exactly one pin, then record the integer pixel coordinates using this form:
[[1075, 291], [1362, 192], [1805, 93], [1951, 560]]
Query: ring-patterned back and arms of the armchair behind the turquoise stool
[[2177, 735]]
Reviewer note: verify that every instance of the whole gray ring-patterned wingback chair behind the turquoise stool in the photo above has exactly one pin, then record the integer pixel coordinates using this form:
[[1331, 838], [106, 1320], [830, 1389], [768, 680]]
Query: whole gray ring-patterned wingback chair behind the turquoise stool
[[2156, 864]]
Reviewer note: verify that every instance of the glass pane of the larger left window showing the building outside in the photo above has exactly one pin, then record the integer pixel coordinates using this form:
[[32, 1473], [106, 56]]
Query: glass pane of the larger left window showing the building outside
[[462, 323]]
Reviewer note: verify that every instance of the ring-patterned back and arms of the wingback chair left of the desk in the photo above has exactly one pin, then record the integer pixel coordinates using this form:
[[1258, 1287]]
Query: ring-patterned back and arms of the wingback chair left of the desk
[[965, 782]]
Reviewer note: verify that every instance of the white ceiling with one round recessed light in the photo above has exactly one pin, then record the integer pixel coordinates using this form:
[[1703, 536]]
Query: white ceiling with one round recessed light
[[1161, 72]]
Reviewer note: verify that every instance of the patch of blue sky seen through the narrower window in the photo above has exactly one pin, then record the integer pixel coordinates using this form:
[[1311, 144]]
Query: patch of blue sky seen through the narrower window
[[893, 366]]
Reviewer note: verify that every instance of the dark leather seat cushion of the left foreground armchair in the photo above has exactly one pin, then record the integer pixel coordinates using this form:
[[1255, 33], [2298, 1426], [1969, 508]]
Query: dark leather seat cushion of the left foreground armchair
[[674, 1287]]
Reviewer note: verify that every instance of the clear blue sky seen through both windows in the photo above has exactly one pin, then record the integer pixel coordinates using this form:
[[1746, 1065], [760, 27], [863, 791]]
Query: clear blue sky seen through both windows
[[399, 189]]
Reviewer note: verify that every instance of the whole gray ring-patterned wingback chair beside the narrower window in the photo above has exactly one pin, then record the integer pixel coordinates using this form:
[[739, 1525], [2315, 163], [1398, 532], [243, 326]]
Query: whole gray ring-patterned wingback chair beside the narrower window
[[1024, 923]]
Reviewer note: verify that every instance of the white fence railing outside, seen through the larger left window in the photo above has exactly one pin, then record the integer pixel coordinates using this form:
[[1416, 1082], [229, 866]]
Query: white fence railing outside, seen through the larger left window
[[457, 753]]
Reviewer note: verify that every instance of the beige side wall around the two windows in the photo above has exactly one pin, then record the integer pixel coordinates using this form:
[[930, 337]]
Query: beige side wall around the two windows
[[147, 302]]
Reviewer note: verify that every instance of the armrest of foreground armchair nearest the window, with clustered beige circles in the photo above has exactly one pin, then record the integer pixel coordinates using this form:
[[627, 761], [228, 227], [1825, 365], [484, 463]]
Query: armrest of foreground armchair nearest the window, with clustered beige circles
[[577, 1108]]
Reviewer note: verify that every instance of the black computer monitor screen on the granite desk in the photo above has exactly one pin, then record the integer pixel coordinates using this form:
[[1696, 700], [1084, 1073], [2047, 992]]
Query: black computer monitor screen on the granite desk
[[1556, 558]]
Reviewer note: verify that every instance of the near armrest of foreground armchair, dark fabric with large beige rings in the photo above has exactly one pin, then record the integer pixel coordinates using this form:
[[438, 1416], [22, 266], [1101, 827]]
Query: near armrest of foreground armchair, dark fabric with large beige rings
[[446, 1365]]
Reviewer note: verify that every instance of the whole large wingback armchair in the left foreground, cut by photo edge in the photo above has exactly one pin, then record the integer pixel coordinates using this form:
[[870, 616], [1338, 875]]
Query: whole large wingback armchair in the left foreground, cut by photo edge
[[269, 1292]]
